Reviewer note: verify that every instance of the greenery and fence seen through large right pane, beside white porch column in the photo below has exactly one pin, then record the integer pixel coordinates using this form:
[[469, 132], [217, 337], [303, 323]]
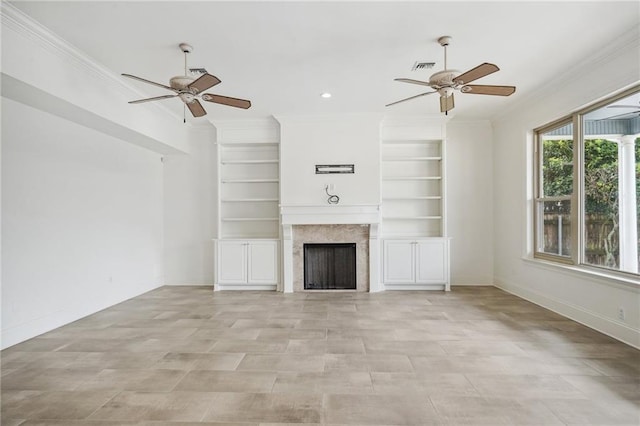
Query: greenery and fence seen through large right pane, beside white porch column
[[601, 203]]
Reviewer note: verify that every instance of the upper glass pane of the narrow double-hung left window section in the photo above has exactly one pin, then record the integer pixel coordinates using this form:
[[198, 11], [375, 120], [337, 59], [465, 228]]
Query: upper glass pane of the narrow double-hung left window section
[[557, 162]]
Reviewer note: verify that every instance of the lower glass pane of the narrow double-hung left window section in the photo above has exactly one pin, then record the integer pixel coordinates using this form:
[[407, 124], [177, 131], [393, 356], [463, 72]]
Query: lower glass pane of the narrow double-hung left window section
[[554, 231]]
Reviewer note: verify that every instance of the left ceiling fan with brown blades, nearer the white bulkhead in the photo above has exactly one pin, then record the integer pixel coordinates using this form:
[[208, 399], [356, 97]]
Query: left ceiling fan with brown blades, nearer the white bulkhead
[[189, 89]]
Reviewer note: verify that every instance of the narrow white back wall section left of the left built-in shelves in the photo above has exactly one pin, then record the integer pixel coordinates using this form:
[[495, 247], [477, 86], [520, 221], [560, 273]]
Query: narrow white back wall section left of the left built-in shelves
[[189, 211]]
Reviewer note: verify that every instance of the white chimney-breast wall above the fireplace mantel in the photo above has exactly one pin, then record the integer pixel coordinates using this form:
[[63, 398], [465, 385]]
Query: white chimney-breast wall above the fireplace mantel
[[344, 139]]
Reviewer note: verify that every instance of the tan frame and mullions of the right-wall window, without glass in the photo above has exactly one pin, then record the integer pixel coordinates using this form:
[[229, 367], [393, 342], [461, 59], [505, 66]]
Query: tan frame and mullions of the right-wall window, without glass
[[577, 257]]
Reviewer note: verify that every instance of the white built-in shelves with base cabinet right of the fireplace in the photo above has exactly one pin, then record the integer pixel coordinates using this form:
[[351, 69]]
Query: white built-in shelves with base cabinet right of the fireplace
[[415, 249]]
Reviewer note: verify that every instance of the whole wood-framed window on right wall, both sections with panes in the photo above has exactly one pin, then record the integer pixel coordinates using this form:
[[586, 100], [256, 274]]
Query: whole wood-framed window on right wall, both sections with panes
[[587, 186]]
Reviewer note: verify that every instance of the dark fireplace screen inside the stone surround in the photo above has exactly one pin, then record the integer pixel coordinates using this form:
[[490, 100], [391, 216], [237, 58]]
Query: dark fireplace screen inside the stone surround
[[330, 266]]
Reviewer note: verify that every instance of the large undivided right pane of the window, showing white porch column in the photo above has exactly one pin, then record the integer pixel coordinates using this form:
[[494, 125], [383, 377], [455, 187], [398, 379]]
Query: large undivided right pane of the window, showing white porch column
[[611, 184]]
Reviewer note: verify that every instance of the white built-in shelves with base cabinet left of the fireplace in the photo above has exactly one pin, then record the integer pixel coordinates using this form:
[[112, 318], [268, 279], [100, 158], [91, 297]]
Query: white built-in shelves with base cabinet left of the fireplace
[[248, 228]]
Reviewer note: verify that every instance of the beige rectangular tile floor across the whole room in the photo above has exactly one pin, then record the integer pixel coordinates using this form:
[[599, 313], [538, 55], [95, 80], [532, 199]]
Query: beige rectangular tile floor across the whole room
[[184, 355]]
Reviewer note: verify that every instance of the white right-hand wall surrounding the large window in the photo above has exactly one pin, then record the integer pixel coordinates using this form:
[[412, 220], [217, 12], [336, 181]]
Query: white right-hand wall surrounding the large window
[[591, 300]]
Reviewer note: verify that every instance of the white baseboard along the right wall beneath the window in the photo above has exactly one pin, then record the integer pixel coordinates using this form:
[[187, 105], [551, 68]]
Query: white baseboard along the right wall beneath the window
[[608, 326]]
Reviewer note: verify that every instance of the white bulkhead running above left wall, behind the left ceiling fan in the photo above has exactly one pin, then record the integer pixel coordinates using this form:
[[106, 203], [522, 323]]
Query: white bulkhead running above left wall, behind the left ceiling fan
[[42, 70]]
